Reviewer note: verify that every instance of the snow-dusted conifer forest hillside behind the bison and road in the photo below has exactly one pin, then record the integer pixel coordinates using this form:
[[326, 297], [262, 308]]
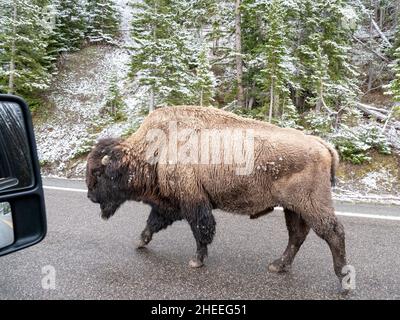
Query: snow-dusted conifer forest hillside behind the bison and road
[[95, 68]]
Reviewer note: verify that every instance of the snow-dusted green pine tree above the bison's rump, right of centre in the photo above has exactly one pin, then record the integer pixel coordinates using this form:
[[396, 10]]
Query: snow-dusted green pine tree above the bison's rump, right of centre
[[325, 74]]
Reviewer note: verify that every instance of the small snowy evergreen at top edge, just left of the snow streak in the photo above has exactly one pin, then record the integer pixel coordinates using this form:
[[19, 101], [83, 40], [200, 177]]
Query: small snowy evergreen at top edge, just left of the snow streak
[[103, 20]]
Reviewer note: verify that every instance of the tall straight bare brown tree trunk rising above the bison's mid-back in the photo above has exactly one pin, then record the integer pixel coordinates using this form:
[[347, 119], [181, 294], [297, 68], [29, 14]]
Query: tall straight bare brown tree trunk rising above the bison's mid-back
[[239, 62]]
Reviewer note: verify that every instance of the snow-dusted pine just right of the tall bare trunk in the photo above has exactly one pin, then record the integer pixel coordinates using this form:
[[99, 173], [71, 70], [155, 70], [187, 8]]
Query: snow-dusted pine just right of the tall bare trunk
[[262, 30]]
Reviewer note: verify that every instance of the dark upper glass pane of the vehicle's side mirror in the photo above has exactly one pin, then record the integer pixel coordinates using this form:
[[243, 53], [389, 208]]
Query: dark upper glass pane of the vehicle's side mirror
[[14, 145]]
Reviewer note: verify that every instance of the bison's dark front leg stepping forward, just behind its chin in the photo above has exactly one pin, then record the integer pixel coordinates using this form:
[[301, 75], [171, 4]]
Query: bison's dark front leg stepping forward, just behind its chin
[[155, 222]]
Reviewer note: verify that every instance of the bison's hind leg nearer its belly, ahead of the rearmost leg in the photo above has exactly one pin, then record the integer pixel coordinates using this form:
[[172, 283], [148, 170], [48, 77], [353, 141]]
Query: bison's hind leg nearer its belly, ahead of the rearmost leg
[[298, 230]]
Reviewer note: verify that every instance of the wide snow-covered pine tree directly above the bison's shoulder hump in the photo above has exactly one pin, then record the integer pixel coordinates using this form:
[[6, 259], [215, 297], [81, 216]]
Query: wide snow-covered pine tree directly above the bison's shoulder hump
[[162, 57]]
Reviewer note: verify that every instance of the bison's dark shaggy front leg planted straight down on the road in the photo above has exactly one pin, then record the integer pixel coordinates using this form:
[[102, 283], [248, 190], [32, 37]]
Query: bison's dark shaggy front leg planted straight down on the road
[[202, 223]]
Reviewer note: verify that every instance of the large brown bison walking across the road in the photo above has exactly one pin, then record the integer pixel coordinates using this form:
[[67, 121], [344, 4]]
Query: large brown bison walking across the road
[[285, 168]]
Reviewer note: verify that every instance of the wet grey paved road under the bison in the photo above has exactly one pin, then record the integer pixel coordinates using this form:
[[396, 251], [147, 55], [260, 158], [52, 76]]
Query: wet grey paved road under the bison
[[94, 259]]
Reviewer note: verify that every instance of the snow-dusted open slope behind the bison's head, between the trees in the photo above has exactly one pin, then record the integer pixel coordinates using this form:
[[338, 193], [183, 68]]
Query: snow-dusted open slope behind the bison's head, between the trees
[[77, 94]]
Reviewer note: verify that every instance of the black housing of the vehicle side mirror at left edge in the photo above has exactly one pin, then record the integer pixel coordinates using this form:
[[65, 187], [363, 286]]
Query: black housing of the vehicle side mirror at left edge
[[27, 203]]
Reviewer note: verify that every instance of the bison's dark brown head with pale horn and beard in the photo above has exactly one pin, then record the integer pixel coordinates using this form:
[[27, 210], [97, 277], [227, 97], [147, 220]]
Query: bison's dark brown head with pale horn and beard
[[106, 176]]
